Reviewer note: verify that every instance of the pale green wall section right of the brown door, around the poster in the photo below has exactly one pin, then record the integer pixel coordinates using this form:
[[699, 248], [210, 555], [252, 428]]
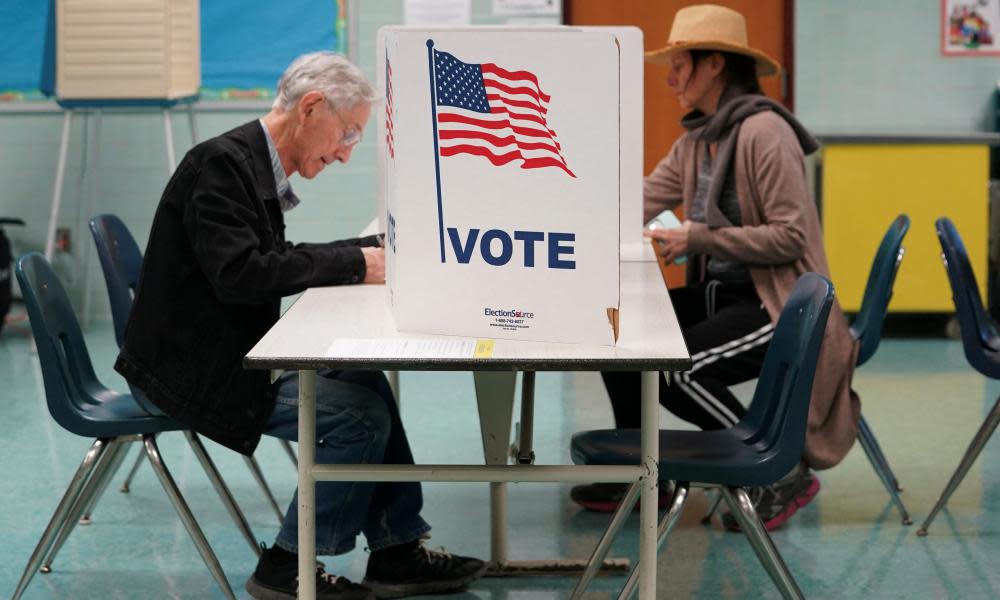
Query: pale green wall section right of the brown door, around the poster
[[876, 66]]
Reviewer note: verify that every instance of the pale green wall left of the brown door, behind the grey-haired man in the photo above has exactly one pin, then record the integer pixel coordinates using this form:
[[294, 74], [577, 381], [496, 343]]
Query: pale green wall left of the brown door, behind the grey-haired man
[[131, 171]]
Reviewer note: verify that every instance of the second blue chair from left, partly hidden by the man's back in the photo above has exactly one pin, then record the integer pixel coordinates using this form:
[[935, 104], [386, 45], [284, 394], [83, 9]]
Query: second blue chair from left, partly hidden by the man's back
[[121, 263]]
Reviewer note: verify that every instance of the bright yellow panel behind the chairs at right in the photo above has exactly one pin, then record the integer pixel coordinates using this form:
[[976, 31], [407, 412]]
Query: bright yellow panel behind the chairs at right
[[865, 186]]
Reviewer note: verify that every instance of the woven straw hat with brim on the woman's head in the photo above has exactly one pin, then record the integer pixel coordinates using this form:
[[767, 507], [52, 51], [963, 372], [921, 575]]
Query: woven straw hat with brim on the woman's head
[[712, 27]]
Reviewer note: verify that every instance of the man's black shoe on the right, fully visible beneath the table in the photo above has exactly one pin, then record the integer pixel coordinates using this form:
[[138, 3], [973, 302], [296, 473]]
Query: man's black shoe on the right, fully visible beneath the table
[[412, 568]]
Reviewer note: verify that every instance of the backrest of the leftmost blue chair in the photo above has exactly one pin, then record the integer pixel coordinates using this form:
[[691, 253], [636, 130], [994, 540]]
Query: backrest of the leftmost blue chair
[[70, 382]]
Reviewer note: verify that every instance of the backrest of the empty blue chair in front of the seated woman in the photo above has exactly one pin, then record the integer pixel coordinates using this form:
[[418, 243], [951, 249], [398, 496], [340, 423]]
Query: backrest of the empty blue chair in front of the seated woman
[[777, 414]]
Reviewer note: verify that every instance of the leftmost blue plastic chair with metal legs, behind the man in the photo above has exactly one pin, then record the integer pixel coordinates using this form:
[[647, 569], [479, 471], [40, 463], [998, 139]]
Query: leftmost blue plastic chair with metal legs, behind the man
[[84, 406]]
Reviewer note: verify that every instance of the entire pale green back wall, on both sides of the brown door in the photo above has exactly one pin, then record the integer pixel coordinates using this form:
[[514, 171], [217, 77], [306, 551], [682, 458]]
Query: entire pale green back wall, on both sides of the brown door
[[881, 71]]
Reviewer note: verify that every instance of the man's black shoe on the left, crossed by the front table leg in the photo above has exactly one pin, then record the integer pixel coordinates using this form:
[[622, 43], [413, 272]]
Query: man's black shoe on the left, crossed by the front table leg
[[276, 578]]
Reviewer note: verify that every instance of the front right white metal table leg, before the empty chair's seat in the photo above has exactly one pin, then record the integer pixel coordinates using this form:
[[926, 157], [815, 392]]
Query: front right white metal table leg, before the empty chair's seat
[[651, 459]]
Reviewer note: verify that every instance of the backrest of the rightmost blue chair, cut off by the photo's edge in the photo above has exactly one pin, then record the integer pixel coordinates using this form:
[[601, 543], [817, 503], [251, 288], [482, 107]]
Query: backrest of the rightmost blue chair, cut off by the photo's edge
[[979, 332]]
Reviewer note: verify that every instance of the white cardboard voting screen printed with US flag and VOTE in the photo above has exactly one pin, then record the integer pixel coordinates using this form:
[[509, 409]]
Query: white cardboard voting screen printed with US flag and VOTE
[[499, 173]]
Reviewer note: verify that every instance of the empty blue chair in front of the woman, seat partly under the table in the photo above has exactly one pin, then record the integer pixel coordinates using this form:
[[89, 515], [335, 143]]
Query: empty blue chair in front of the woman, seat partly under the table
[[759, 450]]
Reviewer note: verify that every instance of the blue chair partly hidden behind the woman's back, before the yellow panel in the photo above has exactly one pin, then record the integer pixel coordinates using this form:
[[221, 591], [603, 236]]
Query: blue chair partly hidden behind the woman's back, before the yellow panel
[[867, 328]]
